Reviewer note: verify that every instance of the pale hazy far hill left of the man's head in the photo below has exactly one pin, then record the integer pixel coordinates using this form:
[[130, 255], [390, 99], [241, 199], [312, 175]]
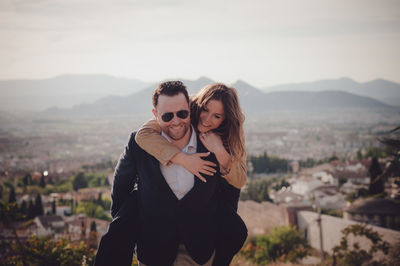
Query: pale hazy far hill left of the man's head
[[63, 91]]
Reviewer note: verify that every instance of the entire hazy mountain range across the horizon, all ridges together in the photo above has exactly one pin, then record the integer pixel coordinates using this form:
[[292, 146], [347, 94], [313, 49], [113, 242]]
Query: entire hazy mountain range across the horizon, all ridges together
[[86, 95]]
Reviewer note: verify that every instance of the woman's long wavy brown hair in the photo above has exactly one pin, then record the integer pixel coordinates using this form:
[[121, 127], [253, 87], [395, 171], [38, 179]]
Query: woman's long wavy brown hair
[[231, 129]]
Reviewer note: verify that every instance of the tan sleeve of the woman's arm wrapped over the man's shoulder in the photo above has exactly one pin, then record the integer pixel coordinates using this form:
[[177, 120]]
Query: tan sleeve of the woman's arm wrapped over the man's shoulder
[[149, 139]]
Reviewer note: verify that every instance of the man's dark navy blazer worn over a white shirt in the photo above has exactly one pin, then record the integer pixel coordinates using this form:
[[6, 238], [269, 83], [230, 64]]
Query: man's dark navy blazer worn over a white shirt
[[164, 221]]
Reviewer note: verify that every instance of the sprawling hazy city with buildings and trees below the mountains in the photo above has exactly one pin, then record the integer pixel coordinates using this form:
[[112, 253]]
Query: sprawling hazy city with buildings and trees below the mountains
[[301, 166]]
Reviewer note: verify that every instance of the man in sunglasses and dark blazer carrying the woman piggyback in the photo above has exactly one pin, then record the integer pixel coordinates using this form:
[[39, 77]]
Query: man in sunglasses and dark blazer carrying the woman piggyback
[[176, 224]]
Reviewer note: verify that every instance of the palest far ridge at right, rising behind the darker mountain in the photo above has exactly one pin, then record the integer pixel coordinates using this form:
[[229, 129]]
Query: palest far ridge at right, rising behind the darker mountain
[[385, 91]]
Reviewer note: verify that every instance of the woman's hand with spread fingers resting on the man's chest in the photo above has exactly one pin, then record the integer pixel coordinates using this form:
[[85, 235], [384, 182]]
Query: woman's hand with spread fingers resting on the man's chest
[[194, 164]]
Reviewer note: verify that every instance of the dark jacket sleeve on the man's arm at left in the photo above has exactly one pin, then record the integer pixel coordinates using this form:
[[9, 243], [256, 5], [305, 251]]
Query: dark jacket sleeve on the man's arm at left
[[125, 177]]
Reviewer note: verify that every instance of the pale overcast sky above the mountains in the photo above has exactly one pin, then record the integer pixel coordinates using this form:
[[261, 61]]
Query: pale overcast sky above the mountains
[[263, 42]]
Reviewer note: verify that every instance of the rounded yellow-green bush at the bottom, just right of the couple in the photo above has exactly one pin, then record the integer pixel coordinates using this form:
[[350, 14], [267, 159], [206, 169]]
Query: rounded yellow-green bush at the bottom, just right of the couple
[[282, 244]]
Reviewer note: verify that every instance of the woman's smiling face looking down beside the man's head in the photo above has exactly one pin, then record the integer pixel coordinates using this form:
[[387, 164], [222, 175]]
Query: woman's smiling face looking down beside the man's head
[[211, 117]]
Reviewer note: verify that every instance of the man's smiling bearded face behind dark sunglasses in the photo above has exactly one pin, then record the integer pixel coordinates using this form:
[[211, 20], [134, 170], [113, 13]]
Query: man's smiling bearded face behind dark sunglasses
[[177, 127]]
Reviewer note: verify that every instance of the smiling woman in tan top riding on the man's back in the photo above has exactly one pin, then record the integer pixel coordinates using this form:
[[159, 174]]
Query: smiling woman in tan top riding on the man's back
[[217, 117]]
